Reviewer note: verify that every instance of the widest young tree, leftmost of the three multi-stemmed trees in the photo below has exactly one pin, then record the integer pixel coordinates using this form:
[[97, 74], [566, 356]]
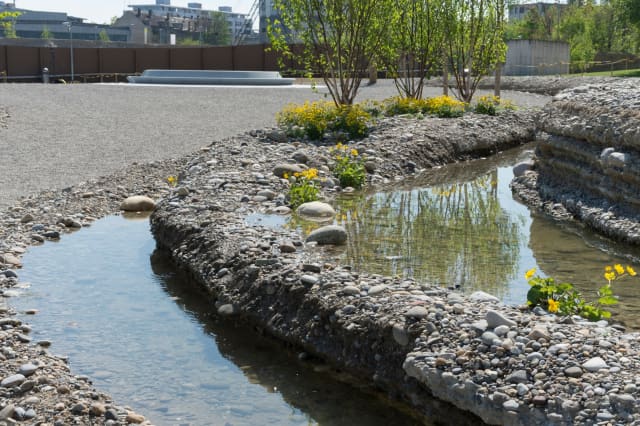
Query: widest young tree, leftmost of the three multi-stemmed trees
[[339, 38]]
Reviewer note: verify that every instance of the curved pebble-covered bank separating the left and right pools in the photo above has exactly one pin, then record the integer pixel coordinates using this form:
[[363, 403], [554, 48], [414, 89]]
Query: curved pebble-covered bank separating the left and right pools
[[504, 365]]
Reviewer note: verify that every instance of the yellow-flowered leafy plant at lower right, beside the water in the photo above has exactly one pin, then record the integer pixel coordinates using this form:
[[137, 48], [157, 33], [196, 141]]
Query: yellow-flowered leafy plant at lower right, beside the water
[[564, 299]]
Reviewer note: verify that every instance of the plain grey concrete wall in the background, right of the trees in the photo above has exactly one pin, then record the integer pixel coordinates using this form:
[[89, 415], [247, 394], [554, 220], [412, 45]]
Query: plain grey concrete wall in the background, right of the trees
[[534, 57]]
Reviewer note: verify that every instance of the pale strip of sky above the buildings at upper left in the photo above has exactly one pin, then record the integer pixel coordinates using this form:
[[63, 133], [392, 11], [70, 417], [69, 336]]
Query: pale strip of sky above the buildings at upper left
[[101, 11]]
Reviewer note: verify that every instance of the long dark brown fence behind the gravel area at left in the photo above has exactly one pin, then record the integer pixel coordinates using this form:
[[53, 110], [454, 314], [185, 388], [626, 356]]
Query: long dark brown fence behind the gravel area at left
[[24, 63]]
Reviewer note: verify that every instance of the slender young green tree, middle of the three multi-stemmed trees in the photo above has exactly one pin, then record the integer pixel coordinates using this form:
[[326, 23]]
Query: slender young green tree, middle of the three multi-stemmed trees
[[414, 48]]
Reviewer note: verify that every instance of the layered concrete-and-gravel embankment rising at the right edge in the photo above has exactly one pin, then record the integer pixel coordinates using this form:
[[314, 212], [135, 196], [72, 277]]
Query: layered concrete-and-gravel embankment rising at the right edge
[[587, 160]]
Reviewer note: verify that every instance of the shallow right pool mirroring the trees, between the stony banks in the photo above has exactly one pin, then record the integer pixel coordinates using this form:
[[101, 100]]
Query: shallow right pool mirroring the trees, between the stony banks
[[460, 227]]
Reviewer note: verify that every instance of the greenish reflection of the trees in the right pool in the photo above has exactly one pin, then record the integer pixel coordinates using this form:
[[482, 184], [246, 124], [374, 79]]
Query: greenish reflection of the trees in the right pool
[[449, 234]]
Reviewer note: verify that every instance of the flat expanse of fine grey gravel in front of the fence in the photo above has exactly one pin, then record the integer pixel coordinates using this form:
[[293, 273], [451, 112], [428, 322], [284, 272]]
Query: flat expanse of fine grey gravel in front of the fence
[[59, 135]]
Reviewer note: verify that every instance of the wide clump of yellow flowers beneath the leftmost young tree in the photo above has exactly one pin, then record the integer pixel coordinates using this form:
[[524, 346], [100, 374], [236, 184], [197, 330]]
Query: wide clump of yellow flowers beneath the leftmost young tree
[[313, 119]]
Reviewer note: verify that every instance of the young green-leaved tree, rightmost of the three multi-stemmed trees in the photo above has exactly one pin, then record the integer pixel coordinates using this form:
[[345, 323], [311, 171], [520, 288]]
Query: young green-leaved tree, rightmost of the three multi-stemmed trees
[[473, 41]]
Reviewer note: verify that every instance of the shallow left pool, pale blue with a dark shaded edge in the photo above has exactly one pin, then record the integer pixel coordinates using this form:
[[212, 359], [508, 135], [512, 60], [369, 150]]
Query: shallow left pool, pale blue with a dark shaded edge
[[124, 316]]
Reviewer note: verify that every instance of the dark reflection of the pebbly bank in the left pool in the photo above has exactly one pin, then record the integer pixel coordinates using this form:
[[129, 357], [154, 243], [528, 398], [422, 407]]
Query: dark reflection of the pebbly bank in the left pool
[[276, 369]]
